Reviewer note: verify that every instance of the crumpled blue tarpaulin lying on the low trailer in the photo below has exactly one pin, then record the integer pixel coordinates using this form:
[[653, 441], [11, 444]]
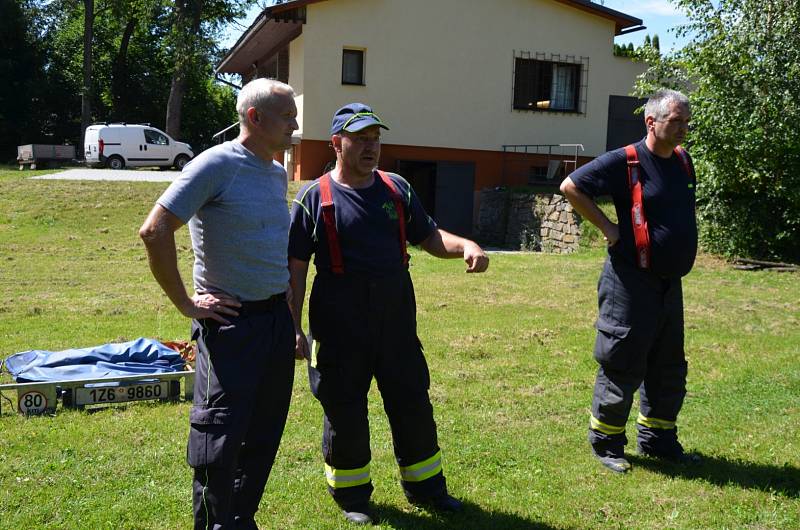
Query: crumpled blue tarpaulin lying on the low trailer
[[140, 356]]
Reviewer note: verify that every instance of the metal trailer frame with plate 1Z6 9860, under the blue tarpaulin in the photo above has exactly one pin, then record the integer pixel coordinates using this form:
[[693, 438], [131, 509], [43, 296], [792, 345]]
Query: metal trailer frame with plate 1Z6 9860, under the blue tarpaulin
[[50, 391]]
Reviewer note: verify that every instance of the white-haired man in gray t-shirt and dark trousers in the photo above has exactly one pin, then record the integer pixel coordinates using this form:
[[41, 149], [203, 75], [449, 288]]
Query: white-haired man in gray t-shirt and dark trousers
[[233, 197]]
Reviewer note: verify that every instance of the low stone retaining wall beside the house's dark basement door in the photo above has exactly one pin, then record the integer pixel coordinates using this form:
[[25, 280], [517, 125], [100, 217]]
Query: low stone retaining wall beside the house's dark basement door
[[542, 222]]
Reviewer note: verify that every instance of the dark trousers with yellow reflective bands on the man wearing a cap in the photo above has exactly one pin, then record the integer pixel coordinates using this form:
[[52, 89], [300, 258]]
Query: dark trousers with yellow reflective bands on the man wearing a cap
[[364, 328]]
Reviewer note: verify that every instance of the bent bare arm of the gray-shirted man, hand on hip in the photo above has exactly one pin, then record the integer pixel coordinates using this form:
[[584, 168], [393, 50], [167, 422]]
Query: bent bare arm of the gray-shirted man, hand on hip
[[158, 234]]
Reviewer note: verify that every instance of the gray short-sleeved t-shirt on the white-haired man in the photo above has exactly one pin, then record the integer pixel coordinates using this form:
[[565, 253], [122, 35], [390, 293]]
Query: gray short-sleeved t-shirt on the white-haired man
[[235, 205]]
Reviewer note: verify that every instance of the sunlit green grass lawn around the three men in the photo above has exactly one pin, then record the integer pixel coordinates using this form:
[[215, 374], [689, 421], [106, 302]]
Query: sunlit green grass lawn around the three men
[[512, 374]]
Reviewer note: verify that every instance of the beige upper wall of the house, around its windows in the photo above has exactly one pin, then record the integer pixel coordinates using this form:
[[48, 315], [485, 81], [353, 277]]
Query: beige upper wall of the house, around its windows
[[441, 72]]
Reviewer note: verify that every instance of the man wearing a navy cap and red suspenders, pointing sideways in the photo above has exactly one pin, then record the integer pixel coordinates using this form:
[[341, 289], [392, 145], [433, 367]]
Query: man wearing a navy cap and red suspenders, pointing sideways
[[356, 221]]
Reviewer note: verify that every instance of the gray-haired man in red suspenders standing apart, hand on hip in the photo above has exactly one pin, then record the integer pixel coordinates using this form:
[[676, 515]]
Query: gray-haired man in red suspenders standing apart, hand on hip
[[639, 342]]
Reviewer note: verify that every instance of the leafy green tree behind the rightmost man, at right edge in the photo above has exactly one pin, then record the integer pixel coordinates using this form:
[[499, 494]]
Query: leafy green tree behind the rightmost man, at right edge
[[741, 70]]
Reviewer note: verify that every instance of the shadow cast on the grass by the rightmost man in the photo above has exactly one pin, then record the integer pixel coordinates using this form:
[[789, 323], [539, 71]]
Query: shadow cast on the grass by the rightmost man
[[784, 480]]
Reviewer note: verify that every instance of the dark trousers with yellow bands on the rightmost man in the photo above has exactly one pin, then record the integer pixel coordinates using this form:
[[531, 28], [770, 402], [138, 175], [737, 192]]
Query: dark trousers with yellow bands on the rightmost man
[[639, 345]]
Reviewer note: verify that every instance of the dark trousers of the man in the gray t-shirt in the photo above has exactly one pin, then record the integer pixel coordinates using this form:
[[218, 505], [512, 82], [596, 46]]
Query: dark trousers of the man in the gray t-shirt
[[243, 385]]
